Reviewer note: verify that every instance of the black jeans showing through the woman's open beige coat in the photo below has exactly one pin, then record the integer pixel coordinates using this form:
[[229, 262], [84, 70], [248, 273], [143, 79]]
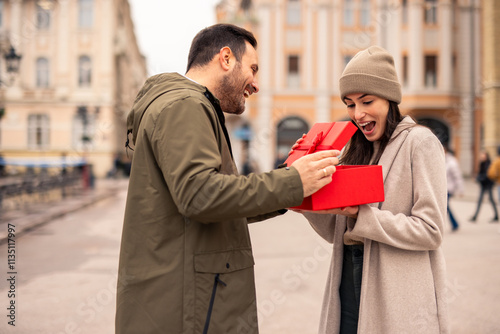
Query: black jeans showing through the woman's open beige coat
[[350, 288]]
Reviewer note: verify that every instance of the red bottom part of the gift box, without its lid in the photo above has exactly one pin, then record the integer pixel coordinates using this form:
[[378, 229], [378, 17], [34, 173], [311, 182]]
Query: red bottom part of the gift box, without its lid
[[350, 186]]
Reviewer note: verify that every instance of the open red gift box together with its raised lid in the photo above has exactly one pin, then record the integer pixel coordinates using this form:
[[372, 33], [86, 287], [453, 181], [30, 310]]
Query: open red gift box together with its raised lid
[[351, 185]]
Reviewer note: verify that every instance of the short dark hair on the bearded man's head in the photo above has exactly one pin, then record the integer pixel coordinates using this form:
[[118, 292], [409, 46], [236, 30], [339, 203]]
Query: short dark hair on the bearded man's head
[[208, 42]]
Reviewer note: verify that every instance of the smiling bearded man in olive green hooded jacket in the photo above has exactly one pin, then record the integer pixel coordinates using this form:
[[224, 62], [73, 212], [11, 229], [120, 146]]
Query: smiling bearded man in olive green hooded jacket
[[186, 263]]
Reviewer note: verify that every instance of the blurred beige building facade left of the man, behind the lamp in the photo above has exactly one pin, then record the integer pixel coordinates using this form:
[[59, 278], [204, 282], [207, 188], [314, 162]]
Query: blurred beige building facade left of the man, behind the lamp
[[80, 71]]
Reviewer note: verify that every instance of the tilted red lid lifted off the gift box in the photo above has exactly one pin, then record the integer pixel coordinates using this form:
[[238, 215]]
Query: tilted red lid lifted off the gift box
[[323, 136]]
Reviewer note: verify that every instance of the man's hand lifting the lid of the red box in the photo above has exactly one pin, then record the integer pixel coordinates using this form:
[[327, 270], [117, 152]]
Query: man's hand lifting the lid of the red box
[[316, 170]]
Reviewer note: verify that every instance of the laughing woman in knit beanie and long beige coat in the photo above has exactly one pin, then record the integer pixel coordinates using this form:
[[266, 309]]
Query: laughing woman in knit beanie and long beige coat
[[388, 271]]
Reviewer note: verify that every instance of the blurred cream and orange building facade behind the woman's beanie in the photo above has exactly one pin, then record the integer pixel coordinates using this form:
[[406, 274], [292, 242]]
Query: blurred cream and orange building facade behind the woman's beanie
[[304, 46]]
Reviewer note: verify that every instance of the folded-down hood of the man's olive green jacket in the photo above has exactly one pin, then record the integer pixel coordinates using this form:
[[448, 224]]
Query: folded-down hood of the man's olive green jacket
[[153, 88]]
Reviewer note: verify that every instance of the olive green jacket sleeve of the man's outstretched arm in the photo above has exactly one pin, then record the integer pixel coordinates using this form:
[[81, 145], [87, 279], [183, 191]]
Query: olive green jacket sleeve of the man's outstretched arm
[[186, 142]]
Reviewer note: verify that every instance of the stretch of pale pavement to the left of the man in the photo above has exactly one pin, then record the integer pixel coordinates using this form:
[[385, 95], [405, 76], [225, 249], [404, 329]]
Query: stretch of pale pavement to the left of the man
[[66, 281]]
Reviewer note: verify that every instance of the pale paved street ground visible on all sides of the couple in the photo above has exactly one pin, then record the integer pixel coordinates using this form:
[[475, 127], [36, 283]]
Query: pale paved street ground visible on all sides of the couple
[[66, 272]]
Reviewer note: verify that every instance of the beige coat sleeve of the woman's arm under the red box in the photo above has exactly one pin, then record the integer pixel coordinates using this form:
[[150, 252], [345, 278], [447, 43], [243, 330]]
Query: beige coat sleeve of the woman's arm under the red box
[[422, 227]]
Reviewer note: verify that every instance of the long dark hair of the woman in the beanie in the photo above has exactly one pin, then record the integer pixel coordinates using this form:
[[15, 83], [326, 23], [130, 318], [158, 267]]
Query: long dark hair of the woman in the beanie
[[359, 150]]
